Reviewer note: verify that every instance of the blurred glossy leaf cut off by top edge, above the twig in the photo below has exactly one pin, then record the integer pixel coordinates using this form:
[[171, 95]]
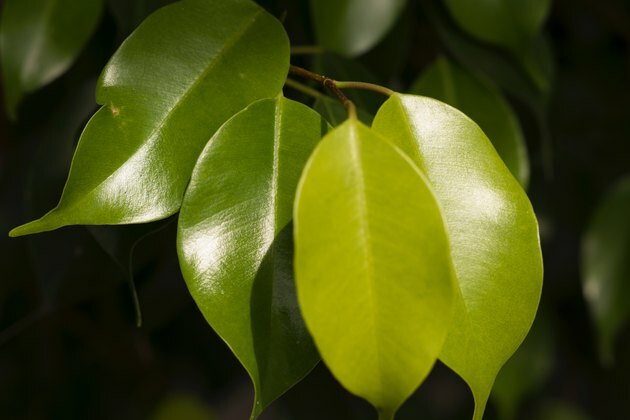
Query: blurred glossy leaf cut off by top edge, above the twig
[[351, 27]]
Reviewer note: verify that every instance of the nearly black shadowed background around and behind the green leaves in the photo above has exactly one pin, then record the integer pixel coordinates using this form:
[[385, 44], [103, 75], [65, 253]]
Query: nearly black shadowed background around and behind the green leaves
[[69, 346]]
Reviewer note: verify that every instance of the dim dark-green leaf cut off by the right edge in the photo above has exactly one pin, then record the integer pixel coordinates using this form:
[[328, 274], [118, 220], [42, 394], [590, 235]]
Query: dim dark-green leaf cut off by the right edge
[[606, 267]]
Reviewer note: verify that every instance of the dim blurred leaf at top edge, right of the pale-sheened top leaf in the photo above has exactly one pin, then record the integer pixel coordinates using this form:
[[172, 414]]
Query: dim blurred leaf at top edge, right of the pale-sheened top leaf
[[507, 23]]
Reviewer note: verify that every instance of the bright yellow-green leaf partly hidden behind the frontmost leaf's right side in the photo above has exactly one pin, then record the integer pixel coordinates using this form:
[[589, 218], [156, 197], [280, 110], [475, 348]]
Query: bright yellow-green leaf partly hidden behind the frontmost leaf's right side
[[492, 231]]
